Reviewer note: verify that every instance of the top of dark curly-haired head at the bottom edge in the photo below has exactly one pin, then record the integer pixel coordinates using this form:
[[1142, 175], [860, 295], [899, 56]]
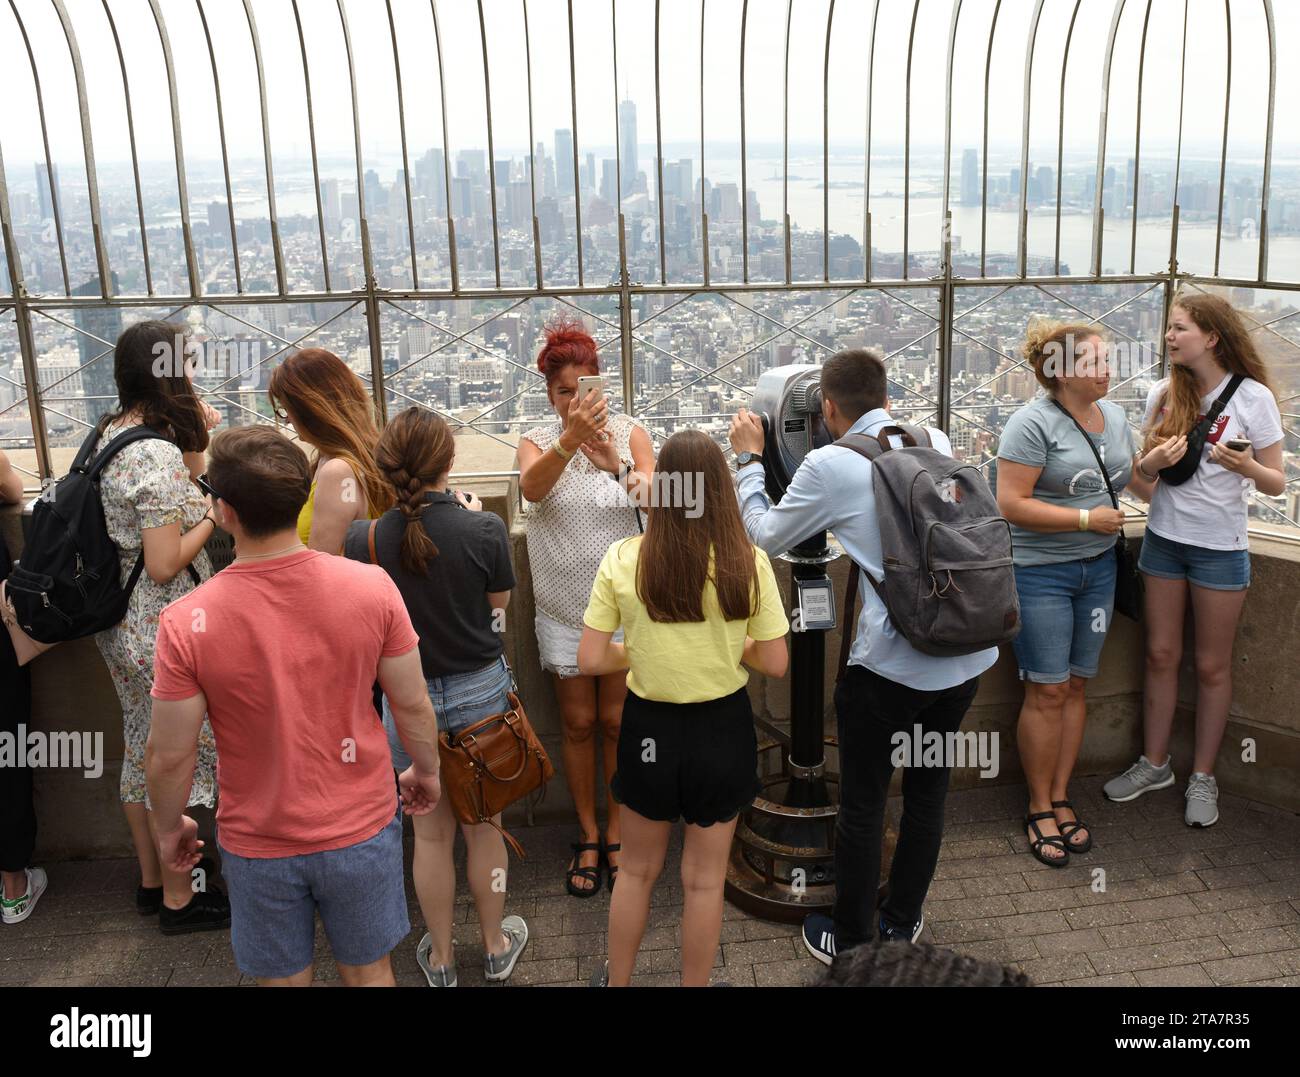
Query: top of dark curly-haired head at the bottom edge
[[894, 964]]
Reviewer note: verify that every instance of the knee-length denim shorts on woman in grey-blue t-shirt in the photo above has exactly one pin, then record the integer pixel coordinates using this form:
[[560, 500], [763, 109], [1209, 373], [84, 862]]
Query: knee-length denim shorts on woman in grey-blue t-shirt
[[1065, 615]]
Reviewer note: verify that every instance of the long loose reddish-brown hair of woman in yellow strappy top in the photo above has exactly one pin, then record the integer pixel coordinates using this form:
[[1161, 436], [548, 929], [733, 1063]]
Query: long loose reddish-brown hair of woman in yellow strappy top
[[335, 414]]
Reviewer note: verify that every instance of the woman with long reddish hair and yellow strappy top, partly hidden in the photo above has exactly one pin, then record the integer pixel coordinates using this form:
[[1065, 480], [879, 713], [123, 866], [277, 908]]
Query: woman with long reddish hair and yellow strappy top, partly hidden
[[328, 406]]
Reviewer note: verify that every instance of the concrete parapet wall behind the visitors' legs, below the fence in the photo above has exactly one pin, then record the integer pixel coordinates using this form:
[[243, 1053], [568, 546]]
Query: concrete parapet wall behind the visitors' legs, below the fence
[[80, 818]]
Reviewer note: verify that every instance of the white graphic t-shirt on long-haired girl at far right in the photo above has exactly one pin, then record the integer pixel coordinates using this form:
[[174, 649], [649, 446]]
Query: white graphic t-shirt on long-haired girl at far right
[[1210, 511]]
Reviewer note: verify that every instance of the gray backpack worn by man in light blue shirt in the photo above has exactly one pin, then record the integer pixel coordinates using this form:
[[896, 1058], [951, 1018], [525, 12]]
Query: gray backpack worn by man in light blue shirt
[[950, 586]]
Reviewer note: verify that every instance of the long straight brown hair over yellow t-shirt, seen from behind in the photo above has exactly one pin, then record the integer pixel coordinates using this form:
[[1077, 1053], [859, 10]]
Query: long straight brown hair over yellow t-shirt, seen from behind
[[674, 563]]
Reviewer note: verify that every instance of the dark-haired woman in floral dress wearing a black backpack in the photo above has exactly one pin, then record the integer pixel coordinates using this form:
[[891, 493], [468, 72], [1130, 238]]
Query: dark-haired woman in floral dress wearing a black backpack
[[153, 503]]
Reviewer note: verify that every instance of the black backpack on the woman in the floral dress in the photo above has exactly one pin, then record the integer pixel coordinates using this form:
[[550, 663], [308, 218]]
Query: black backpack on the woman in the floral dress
[[68, 582]]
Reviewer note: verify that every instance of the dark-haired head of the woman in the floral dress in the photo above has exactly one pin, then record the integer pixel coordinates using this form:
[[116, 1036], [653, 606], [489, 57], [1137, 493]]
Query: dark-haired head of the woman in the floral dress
[[151, 370]]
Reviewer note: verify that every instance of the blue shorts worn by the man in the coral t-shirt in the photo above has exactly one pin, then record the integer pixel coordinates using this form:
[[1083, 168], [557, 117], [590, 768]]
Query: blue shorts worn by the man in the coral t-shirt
[[359, 892]]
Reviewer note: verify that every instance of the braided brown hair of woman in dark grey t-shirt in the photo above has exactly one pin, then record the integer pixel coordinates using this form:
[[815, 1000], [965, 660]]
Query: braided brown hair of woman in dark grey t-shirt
[[415, 449]]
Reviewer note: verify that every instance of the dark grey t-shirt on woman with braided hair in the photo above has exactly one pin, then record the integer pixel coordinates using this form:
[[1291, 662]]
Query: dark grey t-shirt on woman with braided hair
[[449, 608]]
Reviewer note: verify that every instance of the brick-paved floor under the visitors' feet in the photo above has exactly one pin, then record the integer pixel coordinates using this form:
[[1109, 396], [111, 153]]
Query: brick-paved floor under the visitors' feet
[[1178, 907]]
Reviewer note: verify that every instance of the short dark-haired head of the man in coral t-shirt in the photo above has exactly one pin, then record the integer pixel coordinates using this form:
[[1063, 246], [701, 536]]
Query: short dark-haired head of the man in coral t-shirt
[[262, 475]]
